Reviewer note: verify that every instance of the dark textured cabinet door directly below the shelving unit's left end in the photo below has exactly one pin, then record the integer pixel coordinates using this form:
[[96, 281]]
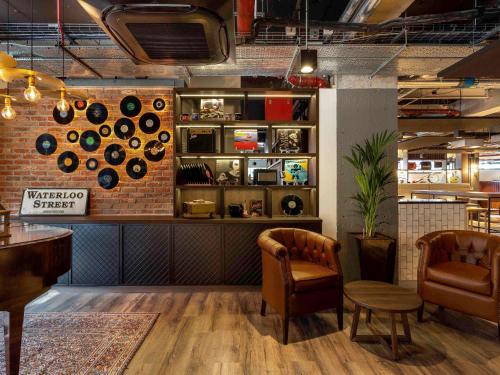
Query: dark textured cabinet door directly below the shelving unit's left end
[[198, 254]]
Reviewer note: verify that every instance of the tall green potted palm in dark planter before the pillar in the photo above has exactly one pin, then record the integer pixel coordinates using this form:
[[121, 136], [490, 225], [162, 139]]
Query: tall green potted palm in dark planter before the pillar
[[377, 252]]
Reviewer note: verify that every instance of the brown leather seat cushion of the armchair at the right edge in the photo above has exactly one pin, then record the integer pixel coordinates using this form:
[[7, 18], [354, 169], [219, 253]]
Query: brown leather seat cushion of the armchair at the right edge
[[460, 275]]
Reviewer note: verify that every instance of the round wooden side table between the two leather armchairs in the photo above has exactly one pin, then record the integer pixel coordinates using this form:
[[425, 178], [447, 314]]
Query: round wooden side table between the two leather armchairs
[[382, 297]]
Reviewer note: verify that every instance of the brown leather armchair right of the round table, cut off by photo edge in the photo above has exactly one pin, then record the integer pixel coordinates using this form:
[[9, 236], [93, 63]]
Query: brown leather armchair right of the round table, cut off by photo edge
[[460, 270]]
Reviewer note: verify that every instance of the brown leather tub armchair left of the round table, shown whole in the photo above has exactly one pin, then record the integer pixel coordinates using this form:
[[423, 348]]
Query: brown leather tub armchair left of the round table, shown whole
[[301, 274]]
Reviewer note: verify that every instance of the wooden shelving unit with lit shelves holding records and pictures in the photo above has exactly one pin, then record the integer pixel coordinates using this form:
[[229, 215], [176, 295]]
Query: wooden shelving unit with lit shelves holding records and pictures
[[187, 101]]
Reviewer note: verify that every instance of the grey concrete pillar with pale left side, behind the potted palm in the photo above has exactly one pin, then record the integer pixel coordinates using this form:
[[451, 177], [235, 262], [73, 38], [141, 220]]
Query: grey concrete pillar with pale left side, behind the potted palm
[[357, 108]]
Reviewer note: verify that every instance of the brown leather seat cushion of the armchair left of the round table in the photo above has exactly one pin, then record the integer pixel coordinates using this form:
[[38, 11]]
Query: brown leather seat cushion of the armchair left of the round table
[[308, 276]]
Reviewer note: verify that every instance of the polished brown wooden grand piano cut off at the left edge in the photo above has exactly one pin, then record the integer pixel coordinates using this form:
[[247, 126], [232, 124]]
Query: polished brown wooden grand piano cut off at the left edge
[[31, 260]]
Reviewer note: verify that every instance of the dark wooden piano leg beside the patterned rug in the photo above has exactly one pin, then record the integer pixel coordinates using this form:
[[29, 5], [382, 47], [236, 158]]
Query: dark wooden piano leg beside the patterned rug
[[13, 333]]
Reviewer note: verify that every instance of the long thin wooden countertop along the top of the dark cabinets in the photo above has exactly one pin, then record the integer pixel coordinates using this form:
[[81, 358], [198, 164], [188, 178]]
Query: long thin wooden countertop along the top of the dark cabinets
[[153, 219]]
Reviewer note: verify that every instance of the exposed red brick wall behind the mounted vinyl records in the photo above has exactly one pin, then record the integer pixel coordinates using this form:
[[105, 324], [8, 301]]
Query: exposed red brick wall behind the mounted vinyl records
[[22, 166]]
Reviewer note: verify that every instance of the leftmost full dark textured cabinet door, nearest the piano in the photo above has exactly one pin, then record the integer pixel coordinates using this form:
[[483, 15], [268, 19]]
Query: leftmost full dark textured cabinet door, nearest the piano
[[96, 254]]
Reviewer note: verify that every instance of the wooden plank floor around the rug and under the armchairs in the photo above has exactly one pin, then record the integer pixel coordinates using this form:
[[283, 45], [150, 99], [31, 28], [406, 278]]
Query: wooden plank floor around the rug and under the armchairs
[[218, 330]]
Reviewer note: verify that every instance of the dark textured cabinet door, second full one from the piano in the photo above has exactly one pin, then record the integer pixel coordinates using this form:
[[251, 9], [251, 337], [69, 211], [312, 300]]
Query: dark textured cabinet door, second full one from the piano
[[146, 254]]
